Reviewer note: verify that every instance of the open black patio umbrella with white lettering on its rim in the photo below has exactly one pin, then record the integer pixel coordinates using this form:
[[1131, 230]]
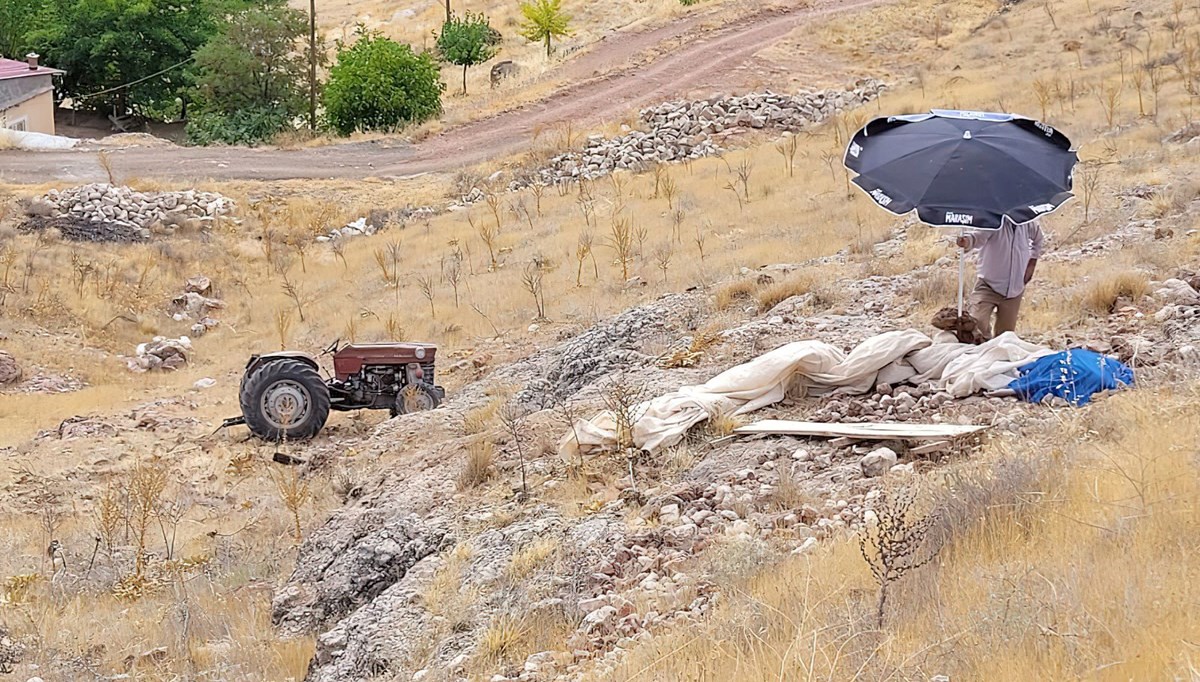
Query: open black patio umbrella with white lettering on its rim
[[965, 170]]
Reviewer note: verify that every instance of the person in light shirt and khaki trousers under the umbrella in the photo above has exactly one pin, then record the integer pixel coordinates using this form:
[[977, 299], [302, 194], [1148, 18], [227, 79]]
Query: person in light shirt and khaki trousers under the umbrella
[[1007, 260]]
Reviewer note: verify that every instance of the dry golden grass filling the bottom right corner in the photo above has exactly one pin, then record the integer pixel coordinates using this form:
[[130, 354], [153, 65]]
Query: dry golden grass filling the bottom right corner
[[1005, 602]]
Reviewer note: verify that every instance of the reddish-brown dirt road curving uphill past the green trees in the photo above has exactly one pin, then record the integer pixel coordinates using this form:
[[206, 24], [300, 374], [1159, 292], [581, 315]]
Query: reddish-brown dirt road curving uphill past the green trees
[[704, 59]]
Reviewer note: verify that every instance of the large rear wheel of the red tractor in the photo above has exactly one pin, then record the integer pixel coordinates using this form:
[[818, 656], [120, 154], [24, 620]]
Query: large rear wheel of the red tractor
[[285, 400]]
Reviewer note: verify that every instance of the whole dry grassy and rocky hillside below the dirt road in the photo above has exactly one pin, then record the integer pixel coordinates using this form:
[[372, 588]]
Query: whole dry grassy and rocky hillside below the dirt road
[[459, 545]]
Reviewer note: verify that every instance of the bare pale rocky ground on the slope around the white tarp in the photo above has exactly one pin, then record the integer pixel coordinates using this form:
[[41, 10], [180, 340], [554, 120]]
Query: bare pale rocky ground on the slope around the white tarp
[[631, 554]]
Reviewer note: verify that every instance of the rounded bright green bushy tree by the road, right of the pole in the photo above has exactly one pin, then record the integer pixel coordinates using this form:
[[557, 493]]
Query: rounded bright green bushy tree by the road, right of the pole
[[380, 85]]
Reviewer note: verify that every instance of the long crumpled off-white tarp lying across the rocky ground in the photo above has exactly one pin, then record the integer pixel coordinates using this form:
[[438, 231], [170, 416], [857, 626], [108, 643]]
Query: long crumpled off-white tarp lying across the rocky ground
[[814, 368]]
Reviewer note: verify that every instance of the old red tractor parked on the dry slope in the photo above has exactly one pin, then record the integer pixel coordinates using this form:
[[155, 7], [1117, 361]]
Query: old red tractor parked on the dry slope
[[284, 398]]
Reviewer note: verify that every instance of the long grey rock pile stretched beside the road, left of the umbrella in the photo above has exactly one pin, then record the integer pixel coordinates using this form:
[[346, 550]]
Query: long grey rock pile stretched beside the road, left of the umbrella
[[691, 129]]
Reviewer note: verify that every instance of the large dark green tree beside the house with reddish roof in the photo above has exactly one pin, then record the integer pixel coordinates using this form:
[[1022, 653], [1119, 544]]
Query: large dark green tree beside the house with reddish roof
[[109, 44]]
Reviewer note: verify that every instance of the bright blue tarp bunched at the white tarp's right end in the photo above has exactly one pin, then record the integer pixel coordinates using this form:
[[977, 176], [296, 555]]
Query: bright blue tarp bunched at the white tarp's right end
[[1075, 375]]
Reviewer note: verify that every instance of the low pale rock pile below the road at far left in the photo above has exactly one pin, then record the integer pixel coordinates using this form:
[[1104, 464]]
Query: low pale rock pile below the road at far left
[[104, 204]]
